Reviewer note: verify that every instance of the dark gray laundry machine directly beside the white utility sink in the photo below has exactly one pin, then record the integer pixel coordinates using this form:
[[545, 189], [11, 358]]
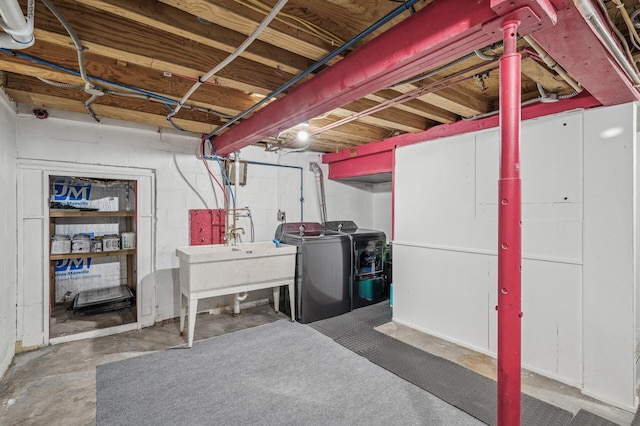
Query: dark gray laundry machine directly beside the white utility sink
[[323, 270]]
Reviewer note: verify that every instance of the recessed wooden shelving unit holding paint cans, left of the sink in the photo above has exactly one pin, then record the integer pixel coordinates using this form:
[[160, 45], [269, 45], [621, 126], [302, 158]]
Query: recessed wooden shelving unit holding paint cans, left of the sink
[[63, 322]]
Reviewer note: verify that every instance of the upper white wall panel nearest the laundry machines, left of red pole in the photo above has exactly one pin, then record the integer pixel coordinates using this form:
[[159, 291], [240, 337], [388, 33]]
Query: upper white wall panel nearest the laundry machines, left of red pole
[[435, 193]]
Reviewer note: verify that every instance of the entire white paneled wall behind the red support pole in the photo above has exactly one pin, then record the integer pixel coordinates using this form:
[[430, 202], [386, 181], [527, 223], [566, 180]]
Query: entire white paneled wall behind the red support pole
[[577, 239]]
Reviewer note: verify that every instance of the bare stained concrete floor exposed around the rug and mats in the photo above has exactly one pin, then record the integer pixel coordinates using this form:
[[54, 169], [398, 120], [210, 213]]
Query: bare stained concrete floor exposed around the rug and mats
[[56, 385]]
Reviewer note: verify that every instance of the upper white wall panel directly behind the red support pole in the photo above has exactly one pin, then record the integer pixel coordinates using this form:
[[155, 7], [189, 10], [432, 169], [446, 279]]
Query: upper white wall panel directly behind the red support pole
[[551, 173]]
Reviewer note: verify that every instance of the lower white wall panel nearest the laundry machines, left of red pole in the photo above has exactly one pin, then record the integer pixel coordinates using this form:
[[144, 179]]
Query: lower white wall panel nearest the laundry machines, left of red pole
[[432, 292]]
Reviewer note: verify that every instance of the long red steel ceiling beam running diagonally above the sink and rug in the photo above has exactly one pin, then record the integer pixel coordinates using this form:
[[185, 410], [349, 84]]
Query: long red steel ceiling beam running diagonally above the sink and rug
[[437, 33]]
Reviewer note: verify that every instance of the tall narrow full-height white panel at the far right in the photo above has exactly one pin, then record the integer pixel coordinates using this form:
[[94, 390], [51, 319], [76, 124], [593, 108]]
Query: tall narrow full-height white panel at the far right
[[609, 351]]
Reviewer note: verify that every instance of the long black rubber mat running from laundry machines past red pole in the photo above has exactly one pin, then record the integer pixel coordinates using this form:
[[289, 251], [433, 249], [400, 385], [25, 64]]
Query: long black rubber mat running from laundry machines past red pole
[[457, 385]]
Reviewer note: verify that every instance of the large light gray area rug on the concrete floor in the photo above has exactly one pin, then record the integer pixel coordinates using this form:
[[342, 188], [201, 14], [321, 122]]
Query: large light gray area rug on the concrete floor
[[281, 373]]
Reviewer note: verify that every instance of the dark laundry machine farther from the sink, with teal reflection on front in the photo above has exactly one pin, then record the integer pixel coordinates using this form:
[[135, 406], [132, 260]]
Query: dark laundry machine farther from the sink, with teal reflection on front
[[368, 258]]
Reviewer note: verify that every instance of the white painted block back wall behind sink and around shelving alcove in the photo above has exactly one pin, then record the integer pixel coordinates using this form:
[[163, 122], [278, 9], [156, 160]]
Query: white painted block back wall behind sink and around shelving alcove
[[181, 183]]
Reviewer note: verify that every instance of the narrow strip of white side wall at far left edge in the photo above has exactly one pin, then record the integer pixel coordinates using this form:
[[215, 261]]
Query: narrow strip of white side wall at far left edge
[[8, 272]]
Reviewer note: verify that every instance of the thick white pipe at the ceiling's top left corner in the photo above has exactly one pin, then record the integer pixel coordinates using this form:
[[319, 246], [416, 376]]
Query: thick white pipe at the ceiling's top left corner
[[18, 28]]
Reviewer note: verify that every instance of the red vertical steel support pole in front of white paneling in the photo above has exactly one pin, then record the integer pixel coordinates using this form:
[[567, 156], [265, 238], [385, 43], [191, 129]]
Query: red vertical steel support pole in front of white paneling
[[509, 233]]
